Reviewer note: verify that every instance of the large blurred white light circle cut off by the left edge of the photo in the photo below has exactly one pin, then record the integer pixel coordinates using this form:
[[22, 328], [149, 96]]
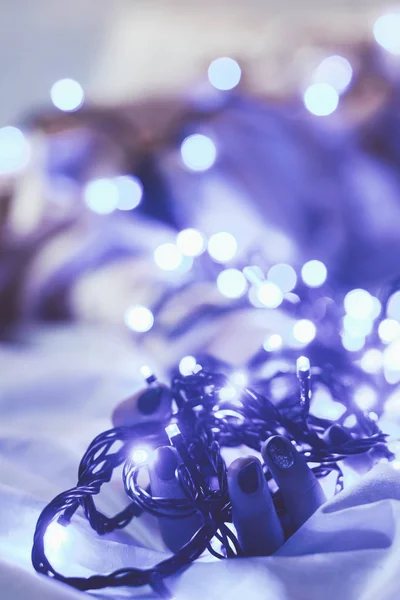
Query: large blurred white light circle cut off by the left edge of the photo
[[14, 150]]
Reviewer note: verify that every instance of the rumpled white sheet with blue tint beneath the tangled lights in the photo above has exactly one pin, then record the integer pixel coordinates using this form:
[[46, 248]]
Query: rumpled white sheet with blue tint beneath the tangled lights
[[57, 391]]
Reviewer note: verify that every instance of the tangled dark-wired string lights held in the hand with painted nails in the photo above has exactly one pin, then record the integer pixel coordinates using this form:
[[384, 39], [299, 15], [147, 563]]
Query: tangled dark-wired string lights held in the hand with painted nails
[[200, 425]]
